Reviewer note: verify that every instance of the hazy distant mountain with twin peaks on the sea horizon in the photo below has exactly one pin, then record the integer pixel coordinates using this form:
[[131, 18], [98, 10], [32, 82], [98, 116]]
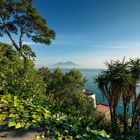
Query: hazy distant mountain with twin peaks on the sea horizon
[[68, 64]]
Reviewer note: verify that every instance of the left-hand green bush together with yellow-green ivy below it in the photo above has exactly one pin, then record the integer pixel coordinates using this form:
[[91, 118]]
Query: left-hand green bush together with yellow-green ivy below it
[[22, 91]]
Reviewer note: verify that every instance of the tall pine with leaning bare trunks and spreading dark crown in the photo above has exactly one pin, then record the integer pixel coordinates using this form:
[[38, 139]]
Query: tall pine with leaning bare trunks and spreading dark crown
[[20, 18]]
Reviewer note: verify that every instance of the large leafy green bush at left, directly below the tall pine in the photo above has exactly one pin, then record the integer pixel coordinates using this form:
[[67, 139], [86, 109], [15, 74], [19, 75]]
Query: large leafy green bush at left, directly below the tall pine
[[24, 80]]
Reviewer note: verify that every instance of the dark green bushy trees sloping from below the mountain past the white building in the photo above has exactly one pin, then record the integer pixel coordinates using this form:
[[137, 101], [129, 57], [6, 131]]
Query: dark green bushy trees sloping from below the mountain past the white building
[[65, 92]]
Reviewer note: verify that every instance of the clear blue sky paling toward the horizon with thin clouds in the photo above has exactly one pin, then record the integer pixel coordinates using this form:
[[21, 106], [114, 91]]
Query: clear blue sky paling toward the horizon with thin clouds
[[89, 32]]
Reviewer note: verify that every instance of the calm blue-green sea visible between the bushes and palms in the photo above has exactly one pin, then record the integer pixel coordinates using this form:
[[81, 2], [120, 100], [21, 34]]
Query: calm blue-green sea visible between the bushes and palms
[[90, 85]]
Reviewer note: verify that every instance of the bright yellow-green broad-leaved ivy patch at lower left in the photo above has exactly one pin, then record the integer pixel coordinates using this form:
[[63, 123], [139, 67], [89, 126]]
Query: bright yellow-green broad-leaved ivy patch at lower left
[[22, 113]]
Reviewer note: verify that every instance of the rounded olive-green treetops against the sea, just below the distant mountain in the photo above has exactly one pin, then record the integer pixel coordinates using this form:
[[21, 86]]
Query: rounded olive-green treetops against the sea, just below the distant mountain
[[56, 81]]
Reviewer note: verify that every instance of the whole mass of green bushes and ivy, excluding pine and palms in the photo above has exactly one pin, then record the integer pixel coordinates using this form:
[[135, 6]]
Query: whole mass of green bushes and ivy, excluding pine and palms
[[52, 102]]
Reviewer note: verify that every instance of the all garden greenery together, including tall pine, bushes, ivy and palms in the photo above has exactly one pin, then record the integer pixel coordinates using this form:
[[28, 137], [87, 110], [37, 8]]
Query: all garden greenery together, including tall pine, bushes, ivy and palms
[[50, 101]]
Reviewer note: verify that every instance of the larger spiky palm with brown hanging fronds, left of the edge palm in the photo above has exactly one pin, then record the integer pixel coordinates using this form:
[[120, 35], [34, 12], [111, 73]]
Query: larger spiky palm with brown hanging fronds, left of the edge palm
[[114, 84]]
